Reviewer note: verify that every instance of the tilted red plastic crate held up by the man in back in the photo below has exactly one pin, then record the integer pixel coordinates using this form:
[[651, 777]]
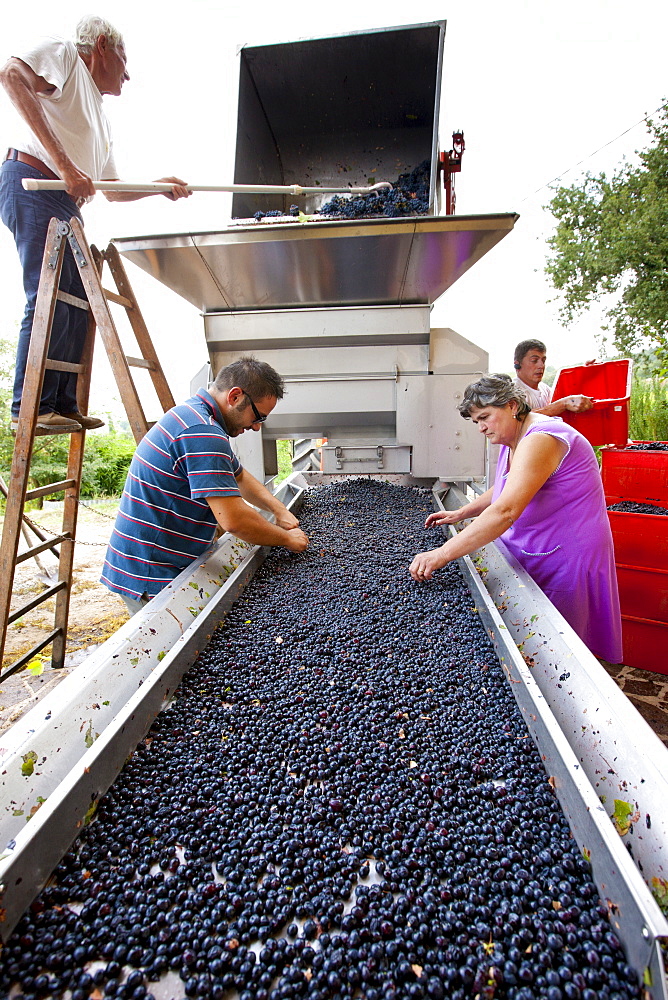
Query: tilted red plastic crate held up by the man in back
[[609, 384]]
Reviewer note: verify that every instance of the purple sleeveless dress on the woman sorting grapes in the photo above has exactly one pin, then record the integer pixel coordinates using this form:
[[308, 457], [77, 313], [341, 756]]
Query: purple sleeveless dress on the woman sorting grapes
[[564, 542]]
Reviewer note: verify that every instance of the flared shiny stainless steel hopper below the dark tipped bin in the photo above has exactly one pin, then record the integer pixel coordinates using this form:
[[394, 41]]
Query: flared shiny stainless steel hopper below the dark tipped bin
[[314, 264]]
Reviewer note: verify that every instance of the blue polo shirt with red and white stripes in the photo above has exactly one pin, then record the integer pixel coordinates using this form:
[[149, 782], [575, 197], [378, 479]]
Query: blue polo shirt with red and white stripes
[[164, 520]]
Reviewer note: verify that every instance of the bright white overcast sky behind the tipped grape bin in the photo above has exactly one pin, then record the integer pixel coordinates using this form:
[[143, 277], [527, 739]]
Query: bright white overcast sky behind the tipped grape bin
[[537, 86]]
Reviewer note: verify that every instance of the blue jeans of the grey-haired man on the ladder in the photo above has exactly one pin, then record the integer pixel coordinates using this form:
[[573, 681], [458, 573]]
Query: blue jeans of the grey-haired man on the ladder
[[27, 214]]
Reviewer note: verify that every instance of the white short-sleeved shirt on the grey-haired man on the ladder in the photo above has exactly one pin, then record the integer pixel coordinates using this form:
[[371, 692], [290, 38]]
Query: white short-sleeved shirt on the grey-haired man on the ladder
[[73, 110]]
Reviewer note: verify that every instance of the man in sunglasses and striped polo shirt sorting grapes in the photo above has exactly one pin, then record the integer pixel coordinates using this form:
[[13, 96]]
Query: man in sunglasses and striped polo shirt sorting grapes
[[184, 480]]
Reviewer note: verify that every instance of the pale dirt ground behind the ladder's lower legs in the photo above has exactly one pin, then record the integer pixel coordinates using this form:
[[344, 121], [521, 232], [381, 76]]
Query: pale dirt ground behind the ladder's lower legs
[[95, 613]]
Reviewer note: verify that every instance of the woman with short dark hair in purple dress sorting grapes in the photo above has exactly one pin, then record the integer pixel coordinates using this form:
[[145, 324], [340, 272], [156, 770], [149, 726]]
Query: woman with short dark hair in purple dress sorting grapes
[[547, 506]]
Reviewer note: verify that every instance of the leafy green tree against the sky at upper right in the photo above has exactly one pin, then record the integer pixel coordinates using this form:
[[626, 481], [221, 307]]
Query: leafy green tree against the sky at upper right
[[611, 238]]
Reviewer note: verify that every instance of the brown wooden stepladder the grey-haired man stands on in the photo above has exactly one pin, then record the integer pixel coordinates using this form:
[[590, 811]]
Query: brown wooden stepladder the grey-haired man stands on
[[90, 263]]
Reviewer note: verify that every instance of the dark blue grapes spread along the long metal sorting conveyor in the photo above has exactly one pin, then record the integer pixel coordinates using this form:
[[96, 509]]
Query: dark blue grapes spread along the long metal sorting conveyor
[[342, 801]]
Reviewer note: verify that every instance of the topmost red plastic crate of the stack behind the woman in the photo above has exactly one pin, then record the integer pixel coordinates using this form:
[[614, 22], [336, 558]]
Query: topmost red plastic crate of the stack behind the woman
[[641, 476]]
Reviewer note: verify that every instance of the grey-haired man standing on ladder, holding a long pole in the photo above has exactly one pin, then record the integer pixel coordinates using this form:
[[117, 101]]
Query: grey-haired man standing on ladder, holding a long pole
[[57, 88]]
